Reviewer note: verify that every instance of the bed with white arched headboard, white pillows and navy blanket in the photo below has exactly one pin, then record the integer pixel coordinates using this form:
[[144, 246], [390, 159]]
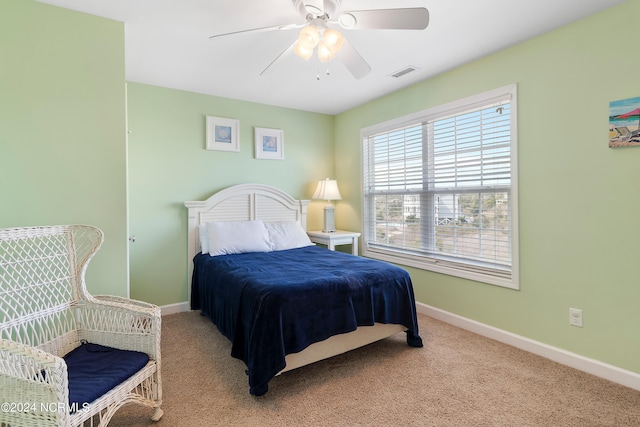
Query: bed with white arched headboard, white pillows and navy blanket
[[282, 301]]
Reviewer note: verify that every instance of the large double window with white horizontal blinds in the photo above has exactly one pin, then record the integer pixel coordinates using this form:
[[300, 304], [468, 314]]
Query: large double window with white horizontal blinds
[[440, 189]]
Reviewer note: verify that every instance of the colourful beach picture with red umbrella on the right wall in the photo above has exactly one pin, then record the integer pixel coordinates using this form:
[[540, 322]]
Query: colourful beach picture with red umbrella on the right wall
[[624, 123]]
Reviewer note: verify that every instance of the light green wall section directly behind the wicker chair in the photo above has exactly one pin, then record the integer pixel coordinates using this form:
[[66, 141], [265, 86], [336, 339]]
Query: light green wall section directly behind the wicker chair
[[62, 128]]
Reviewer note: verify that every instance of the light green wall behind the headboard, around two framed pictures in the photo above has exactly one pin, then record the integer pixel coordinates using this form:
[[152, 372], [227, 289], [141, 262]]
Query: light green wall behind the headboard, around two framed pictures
[[168, 165]]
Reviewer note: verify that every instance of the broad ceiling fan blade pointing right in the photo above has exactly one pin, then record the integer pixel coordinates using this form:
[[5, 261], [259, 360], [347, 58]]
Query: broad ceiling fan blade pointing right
[[413, 18]]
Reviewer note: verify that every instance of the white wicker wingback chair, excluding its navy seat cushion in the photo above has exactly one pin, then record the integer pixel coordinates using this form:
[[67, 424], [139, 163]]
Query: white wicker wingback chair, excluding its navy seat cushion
[[46, 312]]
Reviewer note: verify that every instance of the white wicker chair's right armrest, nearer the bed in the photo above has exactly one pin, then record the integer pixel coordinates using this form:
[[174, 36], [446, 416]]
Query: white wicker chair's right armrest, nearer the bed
[[121, 323]]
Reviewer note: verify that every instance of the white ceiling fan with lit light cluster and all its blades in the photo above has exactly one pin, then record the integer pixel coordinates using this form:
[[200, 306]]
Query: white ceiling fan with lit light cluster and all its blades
[[319, 33]]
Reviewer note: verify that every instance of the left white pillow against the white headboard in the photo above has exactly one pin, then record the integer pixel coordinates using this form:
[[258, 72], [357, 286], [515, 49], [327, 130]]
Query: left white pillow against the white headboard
[[235, 237]]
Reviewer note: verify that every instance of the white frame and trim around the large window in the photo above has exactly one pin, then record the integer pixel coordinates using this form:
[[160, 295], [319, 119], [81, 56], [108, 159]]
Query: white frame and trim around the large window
[[437, 264]]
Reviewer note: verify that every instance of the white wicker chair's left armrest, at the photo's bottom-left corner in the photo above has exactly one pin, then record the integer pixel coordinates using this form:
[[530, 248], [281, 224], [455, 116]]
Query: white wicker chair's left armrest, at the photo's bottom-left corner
[[32, 381]]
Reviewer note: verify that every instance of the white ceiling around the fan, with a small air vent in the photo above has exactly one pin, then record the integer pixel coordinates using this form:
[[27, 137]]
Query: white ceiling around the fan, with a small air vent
[[167, 44]]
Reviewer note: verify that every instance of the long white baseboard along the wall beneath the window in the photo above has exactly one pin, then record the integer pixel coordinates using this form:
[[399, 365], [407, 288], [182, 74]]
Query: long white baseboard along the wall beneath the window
[[603, 370]]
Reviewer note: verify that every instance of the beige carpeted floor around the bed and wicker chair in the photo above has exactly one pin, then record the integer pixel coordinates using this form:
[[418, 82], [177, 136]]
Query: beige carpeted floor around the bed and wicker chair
[[457, 379]]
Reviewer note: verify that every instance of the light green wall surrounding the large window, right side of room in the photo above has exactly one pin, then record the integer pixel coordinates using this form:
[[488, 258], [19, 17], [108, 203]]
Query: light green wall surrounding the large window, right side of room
[[578, 202]]
